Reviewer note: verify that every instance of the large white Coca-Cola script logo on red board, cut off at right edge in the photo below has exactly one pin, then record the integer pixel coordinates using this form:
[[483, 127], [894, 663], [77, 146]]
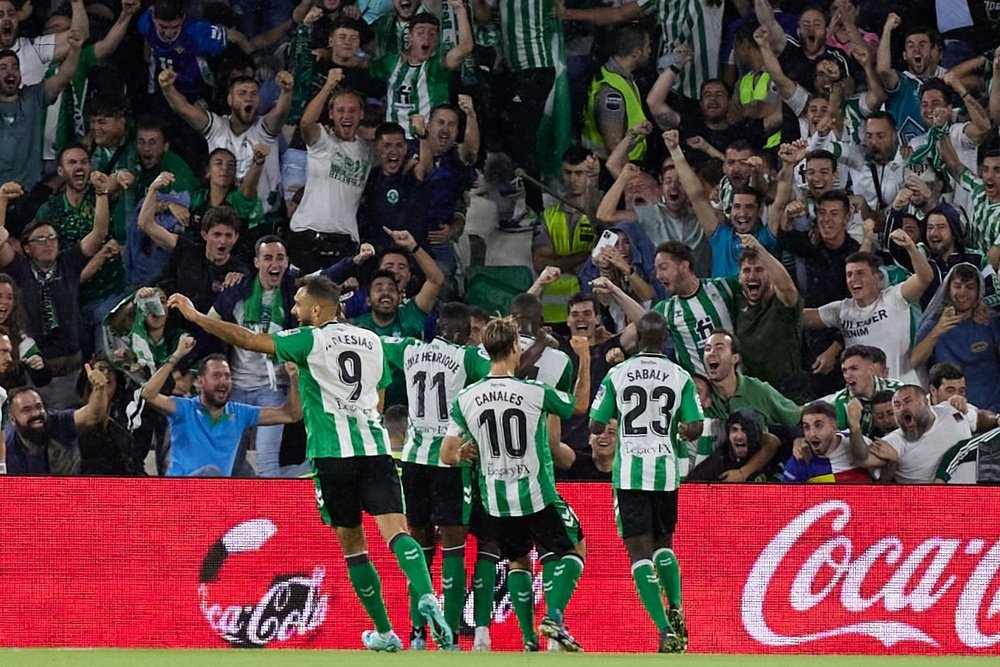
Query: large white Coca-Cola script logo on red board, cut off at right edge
[[879, 590]]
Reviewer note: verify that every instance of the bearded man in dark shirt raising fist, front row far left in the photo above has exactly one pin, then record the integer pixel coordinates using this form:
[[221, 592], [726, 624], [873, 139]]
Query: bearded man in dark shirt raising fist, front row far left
[[43, 442]]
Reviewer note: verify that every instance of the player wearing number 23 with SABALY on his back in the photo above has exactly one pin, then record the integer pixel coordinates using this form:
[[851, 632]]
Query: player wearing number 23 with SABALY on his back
[[656, 403]]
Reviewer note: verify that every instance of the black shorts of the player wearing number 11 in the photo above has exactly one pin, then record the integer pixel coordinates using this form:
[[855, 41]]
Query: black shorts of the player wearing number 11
[[437, 496]]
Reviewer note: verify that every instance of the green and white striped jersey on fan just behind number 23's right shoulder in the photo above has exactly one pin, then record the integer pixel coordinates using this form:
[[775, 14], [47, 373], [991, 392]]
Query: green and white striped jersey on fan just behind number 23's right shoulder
[[692, 319]]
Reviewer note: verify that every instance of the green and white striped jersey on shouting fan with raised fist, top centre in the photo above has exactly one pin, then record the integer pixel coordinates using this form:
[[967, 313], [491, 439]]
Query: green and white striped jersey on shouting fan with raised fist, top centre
[[411, 88]]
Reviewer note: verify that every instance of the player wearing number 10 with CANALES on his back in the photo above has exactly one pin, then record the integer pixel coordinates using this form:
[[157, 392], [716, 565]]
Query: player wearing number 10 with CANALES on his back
[[507, 419]]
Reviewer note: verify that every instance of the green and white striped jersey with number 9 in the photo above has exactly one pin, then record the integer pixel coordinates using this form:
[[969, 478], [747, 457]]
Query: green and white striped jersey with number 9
[[341, 370]]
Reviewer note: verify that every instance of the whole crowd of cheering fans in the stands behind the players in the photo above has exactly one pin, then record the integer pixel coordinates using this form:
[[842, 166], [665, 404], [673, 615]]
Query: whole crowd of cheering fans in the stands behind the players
[[809, 193]]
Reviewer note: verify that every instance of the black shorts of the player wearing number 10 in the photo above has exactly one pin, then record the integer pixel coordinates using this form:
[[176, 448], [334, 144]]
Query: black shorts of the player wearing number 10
[[555, 530]]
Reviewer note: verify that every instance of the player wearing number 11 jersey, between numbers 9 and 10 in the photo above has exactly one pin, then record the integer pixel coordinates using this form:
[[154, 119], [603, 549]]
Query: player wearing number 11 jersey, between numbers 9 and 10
[[437, 494]]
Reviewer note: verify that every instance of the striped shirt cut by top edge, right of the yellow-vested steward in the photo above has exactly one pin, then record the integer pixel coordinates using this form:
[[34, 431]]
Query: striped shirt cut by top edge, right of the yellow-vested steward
[[697, 23]]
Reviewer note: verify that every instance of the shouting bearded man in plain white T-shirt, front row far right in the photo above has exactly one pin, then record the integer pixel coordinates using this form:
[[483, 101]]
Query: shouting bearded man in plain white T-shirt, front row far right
[[925, 433]]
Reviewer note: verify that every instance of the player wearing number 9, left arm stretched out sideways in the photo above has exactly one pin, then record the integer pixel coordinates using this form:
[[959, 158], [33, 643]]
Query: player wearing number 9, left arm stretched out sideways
[[342, 371]]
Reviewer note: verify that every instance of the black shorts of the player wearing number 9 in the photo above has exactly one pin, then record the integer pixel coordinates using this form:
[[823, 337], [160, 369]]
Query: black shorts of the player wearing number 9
[[345, 486]]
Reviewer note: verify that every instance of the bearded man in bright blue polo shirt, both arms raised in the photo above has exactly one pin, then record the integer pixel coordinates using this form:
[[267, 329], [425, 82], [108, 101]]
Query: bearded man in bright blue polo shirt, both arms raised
[[205, 430]]
